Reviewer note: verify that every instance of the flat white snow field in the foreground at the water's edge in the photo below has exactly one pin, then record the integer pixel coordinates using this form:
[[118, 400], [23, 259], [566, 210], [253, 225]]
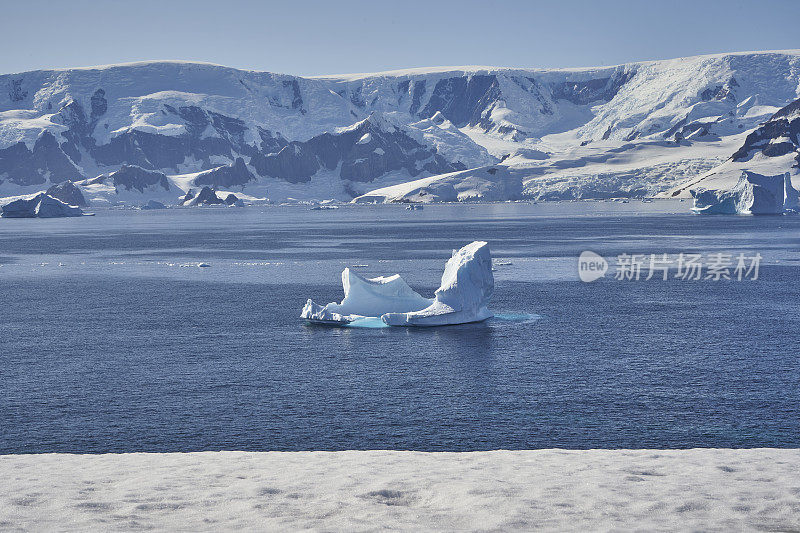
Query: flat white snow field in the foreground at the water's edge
[[701, 489]]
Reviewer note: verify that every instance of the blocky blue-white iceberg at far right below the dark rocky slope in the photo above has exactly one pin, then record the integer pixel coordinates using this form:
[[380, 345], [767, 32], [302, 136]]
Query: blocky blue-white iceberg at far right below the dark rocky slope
[[753, 194]]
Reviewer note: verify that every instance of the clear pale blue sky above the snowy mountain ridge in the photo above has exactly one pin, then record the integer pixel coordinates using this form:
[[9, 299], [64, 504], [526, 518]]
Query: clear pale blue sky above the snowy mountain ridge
[[339, 36]]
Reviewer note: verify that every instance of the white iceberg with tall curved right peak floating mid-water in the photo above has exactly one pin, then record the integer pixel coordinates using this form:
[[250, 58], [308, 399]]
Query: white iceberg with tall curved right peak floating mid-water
[[466, 288]]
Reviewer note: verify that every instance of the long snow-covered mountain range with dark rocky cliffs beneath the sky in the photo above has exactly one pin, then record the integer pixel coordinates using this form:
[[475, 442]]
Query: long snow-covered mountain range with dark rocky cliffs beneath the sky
[[635, 129]]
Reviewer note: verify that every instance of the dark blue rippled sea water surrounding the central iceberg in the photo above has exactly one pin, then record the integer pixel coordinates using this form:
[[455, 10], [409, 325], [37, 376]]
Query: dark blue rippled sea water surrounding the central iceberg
[[112, 339]]
